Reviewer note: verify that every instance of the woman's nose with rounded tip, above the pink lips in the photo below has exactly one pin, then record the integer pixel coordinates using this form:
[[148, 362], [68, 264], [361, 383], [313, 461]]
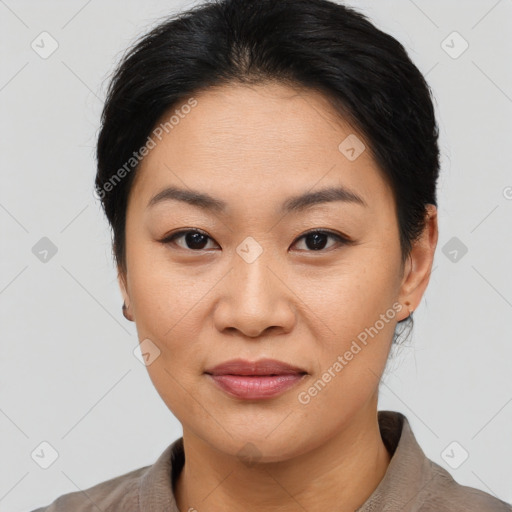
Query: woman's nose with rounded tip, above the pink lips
[[255, 299]]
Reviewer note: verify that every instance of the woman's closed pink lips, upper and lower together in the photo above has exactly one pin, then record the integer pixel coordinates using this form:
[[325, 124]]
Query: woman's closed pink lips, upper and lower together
[[255, 380]]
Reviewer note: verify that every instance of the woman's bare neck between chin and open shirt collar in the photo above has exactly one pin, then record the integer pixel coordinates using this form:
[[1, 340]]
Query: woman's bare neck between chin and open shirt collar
[[340, 474]]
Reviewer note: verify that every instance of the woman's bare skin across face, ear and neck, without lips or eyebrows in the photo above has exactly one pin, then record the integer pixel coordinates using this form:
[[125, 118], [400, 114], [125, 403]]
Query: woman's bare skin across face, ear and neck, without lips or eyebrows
[[254, 147]]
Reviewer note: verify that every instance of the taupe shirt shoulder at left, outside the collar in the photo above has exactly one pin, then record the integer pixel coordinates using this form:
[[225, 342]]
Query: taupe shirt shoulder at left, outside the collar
[[119, 493]]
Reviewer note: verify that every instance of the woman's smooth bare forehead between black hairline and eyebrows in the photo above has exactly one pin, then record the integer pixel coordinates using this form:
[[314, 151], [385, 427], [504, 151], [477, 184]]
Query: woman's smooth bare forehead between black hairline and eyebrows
[[253, 142]]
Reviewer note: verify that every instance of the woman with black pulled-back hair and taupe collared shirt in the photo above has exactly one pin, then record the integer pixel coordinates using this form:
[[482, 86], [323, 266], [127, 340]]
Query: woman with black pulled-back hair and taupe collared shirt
[[269, 170]]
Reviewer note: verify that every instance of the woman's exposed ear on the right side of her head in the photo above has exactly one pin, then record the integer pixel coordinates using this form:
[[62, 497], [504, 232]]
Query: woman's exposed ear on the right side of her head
[[418, 265]]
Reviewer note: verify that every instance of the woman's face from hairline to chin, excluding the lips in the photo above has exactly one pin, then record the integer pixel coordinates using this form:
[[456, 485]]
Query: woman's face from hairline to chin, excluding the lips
[[254, 286]]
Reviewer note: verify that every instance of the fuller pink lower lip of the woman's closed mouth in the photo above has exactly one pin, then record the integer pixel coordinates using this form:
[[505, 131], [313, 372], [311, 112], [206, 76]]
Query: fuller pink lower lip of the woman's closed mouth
[[256, 387]]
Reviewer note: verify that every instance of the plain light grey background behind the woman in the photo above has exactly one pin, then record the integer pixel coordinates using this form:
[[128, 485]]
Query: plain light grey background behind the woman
[[68, 374]]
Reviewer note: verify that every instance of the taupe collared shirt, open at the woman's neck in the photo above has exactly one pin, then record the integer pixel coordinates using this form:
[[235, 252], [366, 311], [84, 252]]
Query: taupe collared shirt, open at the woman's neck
[[412, 483]]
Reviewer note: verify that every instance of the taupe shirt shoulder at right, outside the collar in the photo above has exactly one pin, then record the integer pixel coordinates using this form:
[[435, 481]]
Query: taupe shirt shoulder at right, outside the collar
[[444, 494]]
